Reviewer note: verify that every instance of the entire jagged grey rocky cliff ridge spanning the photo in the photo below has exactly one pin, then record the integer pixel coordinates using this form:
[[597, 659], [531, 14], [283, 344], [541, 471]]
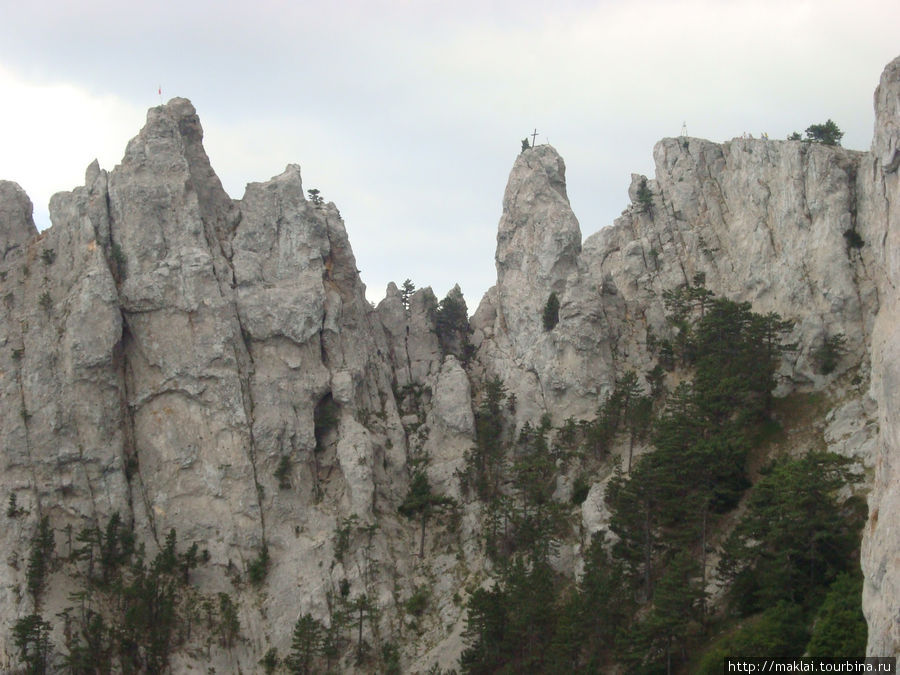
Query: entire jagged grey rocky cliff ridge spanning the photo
[[209, 365]]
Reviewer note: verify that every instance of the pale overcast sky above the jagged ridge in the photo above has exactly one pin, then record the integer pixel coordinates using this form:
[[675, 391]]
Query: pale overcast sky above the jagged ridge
[[409, 114]]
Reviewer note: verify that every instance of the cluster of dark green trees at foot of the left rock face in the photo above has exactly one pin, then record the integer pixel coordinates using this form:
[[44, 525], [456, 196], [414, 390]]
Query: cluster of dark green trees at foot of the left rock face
[[128, 613]]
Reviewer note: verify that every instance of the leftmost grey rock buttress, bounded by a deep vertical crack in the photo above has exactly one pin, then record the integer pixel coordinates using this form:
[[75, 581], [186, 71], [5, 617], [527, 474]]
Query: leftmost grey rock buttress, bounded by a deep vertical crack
[[61, 387]]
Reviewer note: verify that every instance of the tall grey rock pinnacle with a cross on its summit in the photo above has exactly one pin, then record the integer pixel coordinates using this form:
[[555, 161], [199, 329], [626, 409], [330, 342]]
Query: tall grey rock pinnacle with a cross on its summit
[[538, 247]]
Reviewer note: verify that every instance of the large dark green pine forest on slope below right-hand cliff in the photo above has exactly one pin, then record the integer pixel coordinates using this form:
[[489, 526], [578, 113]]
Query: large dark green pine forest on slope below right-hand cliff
[[641, 603]]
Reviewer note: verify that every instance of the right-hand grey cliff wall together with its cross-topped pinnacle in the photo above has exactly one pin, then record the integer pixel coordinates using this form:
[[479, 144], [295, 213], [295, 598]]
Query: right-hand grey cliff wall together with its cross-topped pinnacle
[[768, 222]]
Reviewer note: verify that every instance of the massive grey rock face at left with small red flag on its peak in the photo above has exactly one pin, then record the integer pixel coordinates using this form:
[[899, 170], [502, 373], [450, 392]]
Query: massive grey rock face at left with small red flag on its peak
[[165, 347]]
